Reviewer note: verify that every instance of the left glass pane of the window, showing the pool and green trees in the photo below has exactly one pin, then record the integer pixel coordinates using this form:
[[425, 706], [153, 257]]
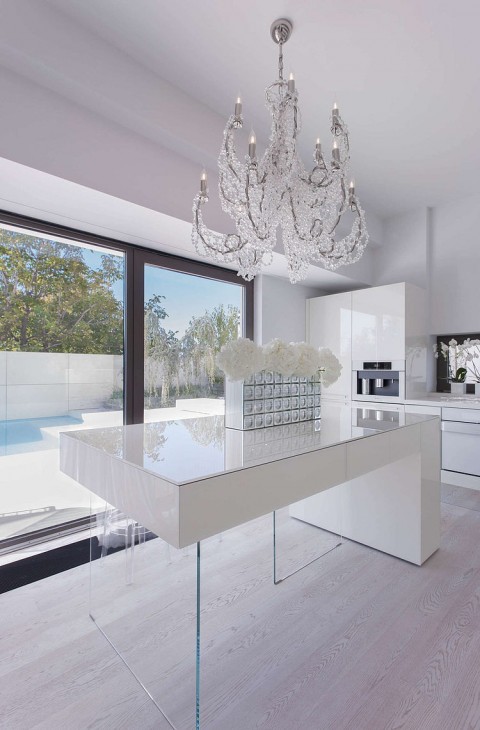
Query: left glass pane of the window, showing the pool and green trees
[[61, 367]]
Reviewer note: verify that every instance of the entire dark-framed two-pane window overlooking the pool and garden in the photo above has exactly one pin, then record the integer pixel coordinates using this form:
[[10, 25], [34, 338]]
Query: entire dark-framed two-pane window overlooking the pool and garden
[[97, 333]]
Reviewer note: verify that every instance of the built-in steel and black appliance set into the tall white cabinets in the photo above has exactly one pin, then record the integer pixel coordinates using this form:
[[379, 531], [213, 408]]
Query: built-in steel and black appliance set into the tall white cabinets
[[379, 381]]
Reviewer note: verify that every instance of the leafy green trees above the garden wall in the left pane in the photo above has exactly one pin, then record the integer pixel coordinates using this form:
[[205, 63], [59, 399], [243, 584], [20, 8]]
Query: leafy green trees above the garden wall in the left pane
[[52, 301]]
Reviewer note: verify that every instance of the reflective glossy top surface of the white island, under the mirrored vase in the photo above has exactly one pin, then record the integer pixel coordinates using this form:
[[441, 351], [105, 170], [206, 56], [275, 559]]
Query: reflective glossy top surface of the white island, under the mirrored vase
[[193, 449]]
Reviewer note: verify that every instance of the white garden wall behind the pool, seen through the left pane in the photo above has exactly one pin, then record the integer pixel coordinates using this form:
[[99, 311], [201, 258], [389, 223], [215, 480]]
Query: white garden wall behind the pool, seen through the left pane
[[37, 384]]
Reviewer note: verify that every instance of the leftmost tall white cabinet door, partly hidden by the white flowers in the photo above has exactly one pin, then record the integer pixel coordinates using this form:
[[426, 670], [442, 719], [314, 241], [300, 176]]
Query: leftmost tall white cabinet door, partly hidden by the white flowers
[[329, 324]]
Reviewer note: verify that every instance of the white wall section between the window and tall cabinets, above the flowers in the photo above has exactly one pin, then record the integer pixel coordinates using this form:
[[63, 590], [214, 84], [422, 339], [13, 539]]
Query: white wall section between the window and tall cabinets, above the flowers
[[280, 309]]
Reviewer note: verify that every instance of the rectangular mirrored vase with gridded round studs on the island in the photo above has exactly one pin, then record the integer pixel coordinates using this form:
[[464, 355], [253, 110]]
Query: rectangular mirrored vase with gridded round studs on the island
[[269, 399]]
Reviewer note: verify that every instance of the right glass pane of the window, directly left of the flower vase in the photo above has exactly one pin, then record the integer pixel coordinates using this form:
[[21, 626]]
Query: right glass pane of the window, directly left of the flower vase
[[187, 320]]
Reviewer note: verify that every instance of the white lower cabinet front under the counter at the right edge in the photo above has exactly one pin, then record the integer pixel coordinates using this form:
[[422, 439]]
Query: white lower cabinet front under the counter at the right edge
[[461, 440]]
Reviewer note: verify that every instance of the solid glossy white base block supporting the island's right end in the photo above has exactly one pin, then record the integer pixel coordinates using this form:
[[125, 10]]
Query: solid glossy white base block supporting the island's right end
[[394, 505]]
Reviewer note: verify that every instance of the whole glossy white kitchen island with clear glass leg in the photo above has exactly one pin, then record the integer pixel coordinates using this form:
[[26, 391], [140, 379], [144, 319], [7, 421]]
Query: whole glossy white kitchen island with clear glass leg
[[193, 479]]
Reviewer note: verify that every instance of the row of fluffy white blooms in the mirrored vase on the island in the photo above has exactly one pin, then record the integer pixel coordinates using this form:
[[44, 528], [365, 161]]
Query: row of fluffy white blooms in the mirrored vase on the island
[[239, 359]]
